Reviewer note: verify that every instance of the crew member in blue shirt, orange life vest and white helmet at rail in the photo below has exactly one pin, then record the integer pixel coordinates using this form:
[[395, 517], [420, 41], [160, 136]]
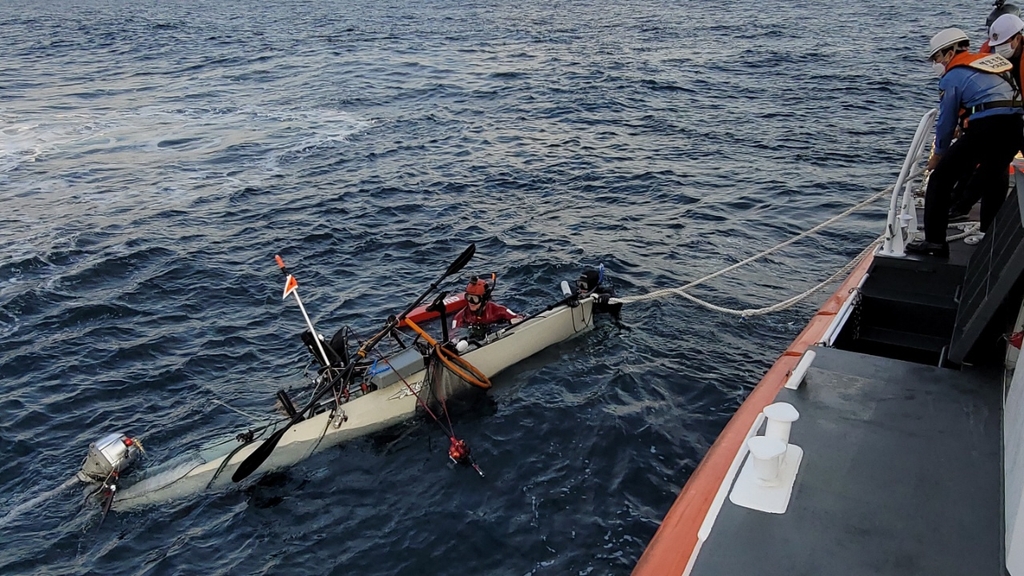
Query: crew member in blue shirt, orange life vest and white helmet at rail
[[971, 93]]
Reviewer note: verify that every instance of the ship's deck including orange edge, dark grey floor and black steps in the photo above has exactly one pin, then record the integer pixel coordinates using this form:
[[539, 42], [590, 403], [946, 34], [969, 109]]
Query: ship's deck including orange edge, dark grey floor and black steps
[[895, 465]]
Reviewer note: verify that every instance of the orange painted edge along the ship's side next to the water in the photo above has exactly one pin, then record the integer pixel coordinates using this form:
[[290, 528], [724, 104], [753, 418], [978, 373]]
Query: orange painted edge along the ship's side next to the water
[[676, 541]]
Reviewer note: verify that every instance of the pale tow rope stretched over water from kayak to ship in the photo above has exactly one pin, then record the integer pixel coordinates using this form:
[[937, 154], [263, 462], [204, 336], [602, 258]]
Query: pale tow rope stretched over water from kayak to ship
[[681, 292]]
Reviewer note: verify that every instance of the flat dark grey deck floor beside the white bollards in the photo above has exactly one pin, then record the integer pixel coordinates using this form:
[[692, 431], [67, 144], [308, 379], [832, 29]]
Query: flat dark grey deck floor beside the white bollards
[[901, 476]]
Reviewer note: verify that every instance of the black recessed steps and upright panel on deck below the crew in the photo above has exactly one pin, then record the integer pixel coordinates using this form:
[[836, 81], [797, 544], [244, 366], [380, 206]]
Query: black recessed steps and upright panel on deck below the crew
[[937, 311]]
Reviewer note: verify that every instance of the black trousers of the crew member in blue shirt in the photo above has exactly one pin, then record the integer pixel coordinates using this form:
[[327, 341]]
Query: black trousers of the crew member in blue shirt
[[987, 148]]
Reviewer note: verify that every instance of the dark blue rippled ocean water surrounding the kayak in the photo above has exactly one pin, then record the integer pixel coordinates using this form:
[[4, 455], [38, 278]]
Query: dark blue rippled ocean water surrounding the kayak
[[155, 156]]
